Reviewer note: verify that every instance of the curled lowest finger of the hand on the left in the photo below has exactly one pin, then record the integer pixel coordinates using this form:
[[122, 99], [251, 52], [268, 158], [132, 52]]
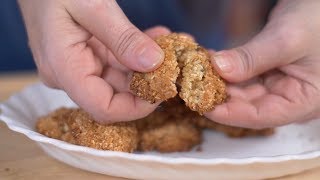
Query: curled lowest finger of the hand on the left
[[82, 83]]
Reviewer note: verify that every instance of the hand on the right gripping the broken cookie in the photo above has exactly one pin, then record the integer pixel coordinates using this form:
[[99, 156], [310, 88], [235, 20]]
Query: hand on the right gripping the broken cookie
[[279, 70]]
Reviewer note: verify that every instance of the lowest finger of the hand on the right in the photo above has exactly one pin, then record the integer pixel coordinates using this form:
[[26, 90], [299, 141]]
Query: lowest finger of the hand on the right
[[268, 111]]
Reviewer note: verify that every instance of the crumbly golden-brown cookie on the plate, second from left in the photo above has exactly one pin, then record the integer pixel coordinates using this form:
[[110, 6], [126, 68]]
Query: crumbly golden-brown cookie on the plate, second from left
[[121, 136]]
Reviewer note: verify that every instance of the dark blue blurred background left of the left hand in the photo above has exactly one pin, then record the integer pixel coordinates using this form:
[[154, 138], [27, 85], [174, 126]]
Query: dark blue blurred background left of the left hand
[[14, 52]]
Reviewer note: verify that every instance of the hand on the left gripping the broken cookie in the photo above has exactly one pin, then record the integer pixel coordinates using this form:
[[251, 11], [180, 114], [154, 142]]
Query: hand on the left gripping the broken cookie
[[87, 48]]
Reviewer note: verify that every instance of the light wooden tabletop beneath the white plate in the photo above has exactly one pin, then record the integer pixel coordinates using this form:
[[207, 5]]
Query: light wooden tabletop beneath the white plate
[[20, 158]]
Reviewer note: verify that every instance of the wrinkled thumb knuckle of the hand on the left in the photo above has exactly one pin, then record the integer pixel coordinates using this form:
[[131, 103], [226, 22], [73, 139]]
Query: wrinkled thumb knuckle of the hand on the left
[[128, 40]]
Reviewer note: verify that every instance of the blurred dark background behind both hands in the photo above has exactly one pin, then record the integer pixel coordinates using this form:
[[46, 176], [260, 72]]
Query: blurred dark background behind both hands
[[216, 24]]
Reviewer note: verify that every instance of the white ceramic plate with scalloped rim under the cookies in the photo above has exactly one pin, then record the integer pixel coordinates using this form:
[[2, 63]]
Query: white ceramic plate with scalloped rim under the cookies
[[292, 149]]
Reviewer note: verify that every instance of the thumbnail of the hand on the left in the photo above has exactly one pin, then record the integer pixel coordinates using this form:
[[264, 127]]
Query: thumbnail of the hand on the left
[[150, 57]]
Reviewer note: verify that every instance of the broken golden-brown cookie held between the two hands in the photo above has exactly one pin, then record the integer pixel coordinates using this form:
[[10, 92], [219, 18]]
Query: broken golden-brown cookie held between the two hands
[[187, 69]]
